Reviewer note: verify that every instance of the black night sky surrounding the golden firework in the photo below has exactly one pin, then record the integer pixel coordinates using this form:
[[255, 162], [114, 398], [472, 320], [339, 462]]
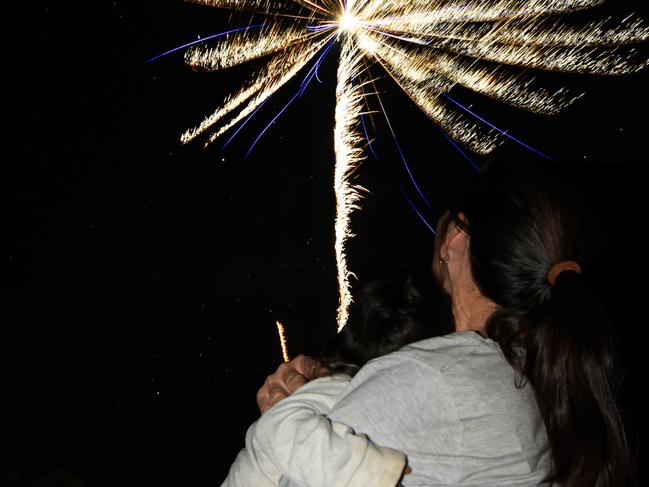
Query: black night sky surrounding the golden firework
[[144, 277]]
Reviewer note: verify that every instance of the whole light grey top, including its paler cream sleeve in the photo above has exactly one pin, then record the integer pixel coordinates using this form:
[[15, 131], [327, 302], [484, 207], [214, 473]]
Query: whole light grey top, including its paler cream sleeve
[[449, 403]]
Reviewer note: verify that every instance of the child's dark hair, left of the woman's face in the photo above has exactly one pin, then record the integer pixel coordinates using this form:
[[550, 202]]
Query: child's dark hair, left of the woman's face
[[389, 312]]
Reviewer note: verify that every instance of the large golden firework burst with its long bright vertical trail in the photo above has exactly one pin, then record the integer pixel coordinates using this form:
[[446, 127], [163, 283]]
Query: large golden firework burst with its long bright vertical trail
[[427, 47]]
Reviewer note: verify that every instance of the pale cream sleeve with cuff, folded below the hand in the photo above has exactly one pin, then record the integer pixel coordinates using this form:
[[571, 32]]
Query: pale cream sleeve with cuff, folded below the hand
[[300, 442]]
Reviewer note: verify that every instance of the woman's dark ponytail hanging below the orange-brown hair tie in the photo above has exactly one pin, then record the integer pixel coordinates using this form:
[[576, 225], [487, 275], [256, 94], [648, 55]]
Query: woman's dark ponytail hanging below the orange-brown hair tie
[[564, 348]]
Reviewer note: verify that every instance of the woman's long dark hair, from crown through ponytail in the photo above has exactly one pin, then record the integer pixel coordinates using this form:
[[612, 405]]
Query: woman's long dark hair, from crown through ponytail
[[522, 219]]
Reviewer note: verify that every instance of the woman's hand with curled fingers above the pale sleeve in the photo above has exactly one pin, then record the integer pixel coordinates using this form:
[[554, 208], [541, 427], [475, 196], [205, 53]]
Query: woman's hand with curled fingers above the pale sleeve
[[288, 377]]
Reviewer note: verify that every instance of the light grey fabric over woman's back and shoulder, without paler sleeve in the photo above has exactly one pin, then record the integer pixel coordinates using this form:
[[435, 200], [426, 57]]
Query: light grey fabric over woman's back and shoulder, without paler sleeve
[[470, 425]]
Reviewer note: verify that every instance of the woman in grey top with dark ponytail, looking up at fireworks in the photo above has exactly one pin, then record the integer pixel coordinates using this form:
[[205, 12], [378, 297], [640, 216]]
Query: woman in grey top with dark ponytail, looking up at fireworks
[[522, 393]]
